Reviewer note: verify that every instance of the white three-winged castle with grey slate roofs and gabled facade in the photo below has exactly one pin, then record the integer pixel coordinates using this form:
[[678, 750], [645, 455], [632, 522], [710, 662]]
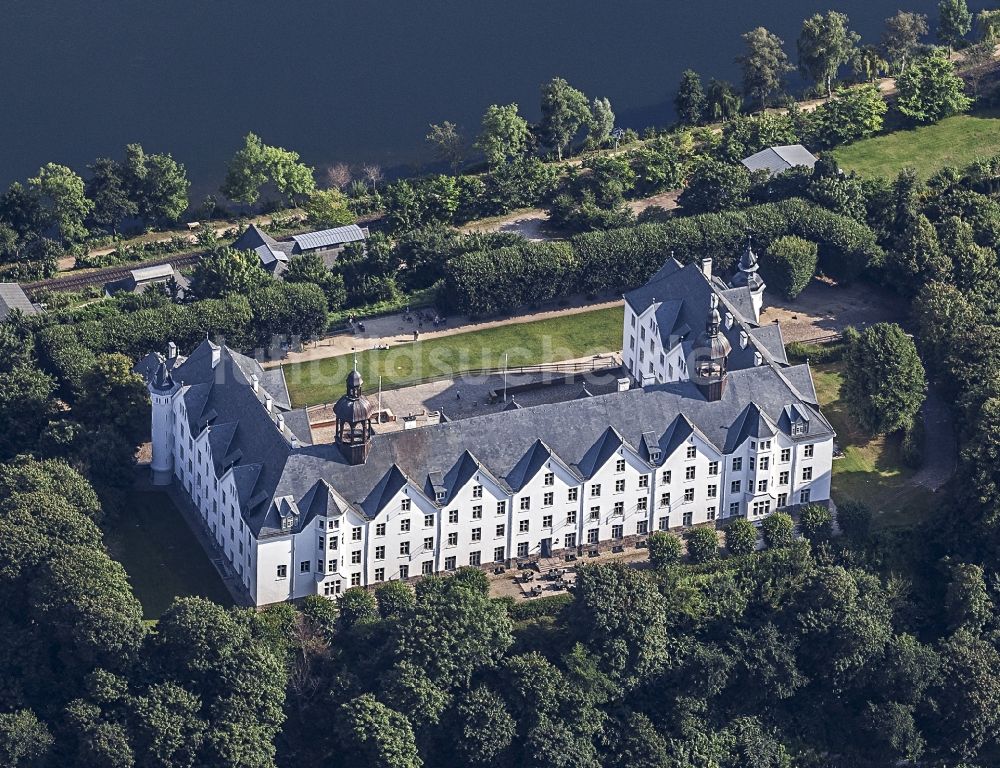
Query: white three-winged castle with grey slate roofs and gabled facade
[[720, 426]]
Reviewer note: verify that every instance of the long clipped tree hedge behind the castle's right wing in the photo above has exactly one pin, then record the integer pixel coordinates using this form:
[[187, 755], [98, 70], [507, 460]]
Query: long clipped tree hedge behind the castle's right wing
[[490, 282]]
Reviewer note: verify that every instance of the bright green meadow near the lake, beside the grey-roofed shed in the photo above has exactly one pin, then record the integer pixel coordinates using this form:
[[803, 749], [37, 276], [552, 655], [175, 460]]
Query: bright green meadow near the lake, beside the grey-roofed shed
[[955, 141]]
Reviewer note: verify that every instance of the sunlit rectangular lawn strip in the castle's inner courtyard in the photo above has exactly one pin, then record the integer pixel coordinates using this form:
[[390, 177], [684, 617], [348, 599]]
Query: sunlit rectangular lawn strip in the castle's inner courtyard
[[543, 341]]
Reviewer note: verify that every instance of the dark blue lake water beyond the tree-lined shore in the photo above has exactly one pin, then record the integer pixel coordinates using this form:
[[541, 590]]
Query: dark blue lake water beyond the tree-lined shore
[[354, 82]]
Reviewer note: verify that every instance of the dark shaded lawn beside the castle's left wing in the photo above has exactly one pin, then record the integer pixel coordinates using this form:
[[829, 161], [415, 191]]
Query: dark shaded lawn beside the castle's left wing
[[162, 557]]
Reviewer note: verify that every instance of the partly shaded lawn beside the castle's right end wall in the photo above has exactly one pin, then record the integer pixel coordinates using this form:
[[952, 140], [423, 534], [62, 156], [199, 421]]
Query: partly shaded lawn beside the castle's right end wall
[[872, 468]]
